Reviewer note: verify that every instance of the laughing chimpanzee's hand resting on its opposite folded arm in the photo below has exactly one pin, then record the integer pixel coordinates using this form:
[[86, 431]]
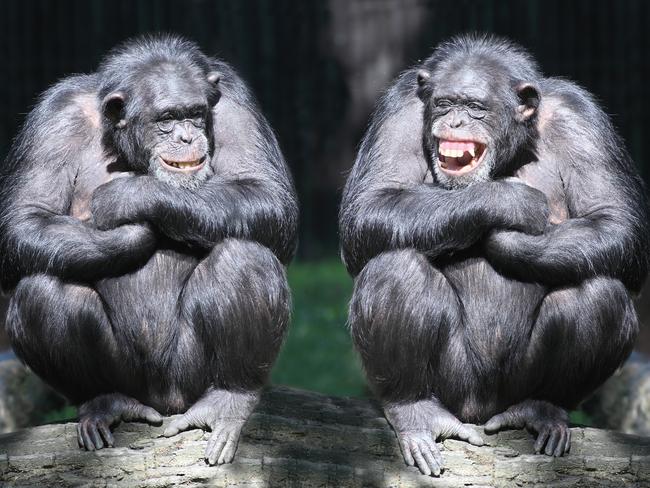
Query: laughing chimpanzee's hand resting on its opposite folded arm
[[527, 208]]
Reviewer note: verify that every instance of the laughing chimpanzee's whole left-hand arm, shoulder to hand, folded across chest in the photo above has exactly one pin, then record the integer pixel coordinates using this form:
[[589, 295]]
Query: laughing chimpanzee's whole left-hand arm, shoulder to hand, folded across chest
[[391, 202]]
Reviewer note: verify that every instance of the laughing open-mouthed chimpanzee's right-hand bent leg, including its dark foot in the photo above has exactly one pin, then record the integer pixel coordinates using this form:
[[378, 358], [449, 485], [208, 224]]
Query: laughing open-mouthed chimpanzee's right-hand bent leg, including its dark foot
[[581, 336]]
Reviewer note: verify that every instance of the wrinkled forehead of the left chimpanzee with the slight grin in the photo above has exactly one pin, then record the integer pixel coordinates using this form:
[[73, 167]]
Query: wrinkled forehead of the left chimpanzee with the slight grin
[[171, 85]]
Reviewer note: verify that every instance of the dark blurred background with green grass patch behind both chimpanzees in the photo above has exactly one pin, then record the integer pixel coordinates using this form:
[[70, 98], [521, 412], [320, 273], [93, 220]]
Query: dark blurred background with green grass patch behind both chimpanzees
[[317, 68]]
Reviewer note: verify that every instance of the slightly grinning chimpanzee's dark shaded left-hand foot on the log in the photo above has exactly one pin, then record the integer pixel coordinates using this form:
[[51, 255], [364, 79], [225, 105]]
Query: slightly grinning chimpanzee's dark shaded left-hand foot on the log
[[97, 416]]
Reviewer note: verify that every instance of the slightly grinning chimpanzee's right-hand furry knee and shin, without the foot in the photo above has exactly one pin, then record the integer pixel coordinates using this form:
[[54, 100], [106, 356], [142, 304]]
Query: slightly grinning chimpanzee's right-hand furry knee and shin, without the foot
[[239, 302]]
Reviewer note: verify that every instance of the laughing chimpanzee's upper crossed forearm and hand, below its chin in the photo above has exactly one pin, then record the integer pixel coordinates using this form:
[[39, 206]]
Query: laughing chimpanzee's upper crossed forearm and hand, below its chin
[[434, 220]]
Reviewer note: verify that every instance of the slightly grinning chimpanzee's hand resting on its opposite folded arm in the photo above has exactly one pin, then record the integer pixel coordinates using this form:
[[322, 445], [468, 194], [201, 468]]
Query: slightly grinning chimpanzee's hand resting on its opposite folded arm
[[117, 202]]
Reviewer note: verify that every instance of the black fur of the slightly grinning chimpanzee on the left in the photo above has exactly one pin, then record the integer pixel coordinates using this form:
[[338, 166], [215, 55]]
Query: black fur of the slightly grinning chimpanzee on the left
[[159, 285]]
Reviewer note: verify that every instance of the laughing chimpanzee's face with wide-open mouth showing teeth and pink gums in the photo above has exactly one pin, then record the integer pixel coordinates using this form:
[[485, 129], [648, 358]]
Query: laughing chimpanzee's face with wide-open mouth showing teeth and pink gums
[[469, 120]]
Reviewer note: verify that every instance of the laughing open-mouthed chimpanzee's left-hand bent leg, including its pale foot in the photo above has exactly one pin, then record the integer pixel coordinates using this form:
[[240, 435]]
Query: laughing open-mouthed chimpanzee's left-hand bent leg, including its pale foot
[[403, 316]]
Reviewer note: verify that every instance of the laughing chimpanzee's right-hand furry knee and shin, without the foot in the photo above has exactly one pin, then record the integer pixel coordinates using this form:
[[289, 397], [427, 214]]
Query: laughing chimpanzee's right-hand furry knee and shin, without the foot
[[582, 335]]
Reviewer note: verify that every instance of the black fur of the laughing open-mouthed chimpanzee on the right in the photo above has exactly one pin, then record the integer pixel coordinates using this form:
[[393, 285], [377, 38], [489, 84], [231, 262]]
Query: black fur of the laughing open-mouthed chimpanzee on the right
[[476, 293]]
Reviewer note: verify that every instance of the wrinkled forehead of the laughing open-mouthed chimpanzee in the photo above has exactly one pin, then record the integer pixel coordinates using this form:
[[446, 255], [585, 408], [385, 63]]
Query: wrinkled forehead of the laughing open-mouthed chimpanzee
[[470, 77]]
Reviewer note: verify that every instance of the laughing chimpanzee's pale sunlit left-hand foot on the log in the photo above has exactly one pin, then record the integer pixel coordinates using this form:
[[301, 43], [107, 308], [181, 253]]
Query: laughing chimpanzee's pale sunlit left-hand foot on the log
[[418, 425]]
